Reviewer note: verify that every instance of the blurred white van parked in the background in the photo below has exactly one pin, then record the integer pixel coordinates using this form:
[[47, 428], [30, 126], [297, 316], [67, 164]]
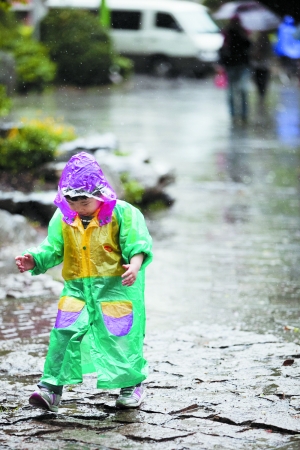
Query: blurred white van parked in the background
[[160, 36]]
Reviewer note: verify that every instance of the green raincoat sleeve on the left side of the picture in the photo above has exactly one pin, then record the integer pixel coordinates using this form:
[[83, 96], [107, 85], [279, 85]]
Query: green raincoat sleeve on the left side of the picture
[[50, 252]]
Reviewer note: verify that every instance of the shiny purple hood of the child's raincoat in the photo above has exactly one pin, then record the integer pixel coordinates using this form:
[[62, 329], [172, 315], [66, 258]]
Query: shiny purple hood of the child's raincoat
[[83, 176]]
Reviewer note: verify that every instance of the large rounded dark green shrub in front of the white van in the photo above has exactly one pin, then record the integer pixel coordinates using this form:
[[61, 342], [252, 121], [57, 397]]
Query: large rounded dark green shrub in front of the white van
[[79, 45]]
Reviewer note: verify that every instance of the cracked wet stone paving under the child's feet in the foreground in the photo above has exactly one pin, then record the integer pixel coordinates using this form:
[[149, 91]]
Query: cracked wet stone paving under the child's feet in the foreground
[[210, 387]]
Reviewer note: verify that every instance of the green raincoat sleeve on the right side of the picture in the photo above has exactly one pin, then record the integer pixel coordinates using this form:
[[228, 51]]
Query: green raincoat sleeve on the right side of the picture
[[134, 235]]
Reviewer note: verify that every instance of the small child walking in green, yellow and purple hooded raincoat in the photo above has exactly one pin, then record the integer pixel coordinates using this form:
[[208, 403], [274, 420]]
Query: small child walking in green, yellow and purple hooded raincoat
[[104, 245]]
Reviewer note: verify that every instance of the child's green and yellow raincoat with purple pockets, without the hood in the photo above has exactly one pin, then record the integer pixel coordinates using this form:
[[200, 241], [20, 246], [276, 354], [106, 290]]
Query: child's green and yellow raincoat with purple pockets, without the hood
[[100, 323]]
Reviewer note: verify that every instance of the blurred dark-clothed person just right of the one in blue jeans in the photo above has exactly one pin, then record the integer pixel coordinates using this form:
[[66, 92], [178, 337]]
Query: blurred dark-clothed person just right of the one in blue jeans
[[261, 61]]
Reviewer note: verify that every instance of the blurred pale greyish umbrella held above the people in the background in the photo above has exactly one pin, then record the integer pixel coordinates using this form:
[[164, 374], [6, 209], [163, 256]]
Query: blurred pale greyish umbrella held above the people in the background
[[253, 15]]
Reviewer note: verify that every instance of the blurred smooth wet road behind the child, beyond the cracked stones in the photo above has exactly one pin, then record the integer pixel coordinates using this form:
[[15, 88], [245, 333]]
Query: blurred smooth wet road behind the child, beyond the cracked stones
[[228, 250]]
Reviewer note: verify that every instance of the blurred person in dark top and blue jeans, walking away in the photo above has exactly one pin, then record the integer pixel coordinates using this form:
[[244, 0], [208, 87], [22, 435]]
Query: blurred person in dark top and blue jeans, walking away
[[235, 58]]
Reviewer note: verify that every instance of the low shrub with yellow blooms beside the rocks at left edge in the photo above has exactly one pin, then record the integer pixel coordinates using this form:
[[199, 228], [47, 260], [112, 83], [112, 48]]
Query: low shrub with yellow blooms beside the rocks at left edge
[[34, 143]]
